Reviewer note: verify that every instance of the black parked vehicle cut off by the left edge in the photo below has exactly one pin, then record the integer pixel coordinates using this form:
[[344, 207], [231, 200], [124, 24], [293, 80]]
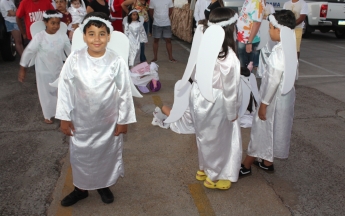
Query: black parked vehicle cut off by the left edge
[[7, 46]]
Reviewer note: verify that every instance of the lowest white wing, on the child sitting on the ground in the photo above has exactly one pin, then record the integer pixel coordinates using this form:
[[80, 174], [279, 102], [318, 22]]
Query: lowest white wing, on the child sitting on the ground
[[181, 102]]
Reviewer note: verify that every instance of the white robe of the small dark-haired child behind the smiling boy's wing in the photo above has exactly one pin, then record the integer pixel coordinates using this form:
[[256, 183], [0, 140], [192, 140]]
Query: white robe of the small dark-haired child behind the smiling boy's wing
[[136, 34]]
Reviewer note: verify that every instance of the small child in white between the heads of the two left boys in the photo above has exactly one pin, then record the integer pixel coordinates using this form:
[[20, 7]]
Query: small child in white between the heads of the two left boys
[[78, 12]]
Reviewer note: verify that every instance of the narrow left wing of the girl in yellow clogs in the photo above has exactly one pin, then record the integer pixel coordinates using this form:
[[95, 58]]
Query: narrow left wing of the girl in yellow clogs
[[192, 56]]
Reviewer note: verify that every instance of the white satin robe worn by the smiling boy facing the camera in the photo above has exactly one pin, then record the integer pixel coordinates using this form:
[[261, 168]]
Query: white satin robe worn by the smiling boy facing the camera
[[95, 95]]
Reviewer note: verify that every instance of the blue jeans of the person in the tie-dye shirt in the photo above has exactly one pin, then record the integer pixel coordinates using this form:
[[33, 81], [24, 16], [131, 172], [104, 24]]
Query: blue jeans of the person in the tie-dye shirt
[[245, 57]]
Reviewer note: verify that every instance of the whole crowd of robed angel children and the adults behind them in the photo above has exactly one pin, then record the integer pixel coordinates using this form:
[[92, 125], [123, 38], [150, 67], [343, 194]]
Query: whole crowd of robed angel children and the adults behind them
[[94, 101]]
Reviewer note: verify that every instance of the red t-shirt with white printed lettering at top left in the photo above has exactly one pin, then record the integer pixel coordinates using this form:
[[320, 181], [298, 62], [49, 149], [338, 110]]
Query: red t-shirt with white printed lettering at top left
[[32, 12]]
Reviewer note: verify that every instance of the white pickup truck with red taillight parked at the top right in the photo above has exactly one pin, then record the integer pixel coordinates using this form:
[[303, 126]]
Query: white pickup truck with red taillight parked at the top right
[[323, 15]]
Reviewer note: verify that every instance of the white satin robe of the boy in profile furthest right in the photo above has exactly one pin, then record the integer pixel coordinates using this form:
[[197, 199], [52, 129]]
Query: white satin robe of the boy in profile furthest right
[[271, 138]]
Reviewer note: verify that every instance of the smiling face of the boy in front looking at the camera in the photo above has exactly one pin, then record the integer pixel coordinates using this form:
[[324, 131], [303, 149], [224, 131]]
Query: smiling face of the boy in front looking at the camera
[[96, 40]]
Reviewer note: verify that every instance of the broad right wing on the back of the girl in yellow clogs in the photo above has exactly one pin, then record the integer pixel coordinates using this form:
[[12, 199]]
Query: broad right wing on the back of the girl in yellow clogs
[[210, 47]]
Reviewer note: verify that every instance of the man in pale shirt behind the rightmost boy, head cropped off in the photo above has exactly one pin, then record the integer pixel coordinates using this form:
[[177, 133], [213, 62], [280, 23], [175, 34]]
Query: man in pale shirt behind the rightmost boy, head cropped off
[[300, 9]]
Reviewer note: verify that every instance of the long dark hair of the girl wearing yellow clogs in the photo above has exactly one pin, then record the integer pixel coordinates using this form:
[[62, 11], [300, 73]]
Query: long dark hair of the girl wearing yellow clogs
[[224, 14]]
